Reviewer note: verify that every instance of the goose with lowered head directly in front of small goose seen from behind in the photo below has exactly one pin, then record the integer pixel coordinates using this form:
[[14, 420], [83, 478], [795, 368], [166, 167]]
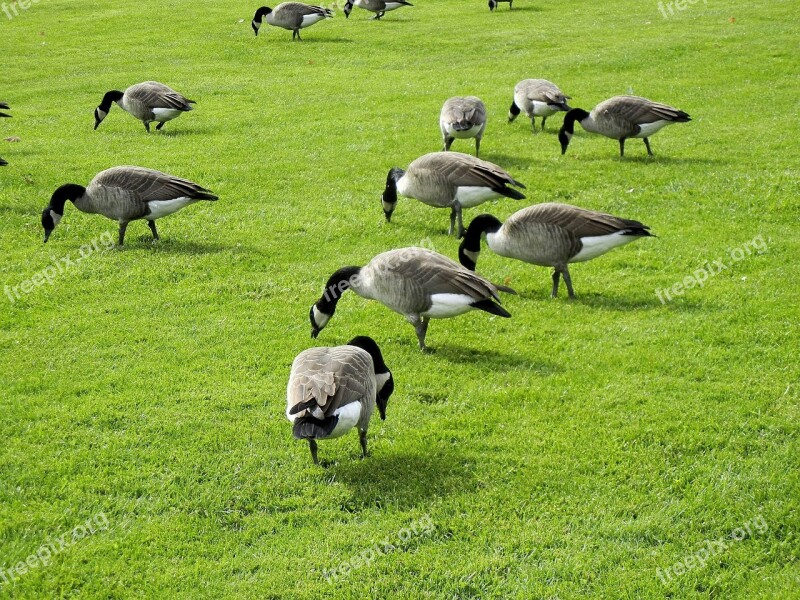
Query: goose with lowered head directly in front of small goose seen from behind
[[449, 179]]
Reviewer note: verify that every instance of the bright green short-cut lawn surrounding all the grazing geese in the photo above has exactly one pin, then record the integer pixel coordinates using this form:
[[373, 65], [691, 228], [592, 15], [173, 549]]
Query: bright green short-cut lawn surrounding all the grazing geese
[[615, 446]]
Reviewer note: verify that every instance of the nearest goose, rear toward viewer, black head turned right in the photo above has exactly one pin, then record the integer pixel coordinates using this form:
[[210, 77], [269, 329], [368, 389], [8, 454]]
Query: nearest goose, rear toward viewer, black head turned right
[[332, 390]]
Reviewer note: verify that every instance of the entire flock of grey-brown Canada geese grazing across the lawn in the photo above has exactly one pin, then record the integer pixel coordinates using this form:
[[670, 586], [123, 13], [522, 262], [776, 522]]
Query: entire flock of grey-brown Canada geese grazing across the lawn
[[332, 390]]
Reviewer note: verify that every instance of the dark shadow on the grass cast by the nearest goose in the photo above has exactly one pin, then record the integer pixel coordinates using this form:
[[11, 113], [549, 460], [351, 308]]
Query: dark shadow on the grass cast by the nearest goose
[[404, 480]]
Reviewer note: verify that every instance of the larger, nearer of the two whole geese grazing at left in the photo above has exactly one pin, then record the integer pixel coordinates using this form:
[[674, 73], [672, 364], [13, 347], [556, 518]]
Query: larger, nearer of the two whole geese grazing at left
[[125, 194]]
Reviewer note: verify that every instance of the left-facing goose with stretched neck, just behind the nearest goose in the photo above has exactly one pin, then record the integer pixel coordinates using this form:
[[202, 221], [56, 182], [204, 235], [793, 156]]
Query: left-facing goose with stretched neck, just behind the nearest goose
[[417, 283]]
